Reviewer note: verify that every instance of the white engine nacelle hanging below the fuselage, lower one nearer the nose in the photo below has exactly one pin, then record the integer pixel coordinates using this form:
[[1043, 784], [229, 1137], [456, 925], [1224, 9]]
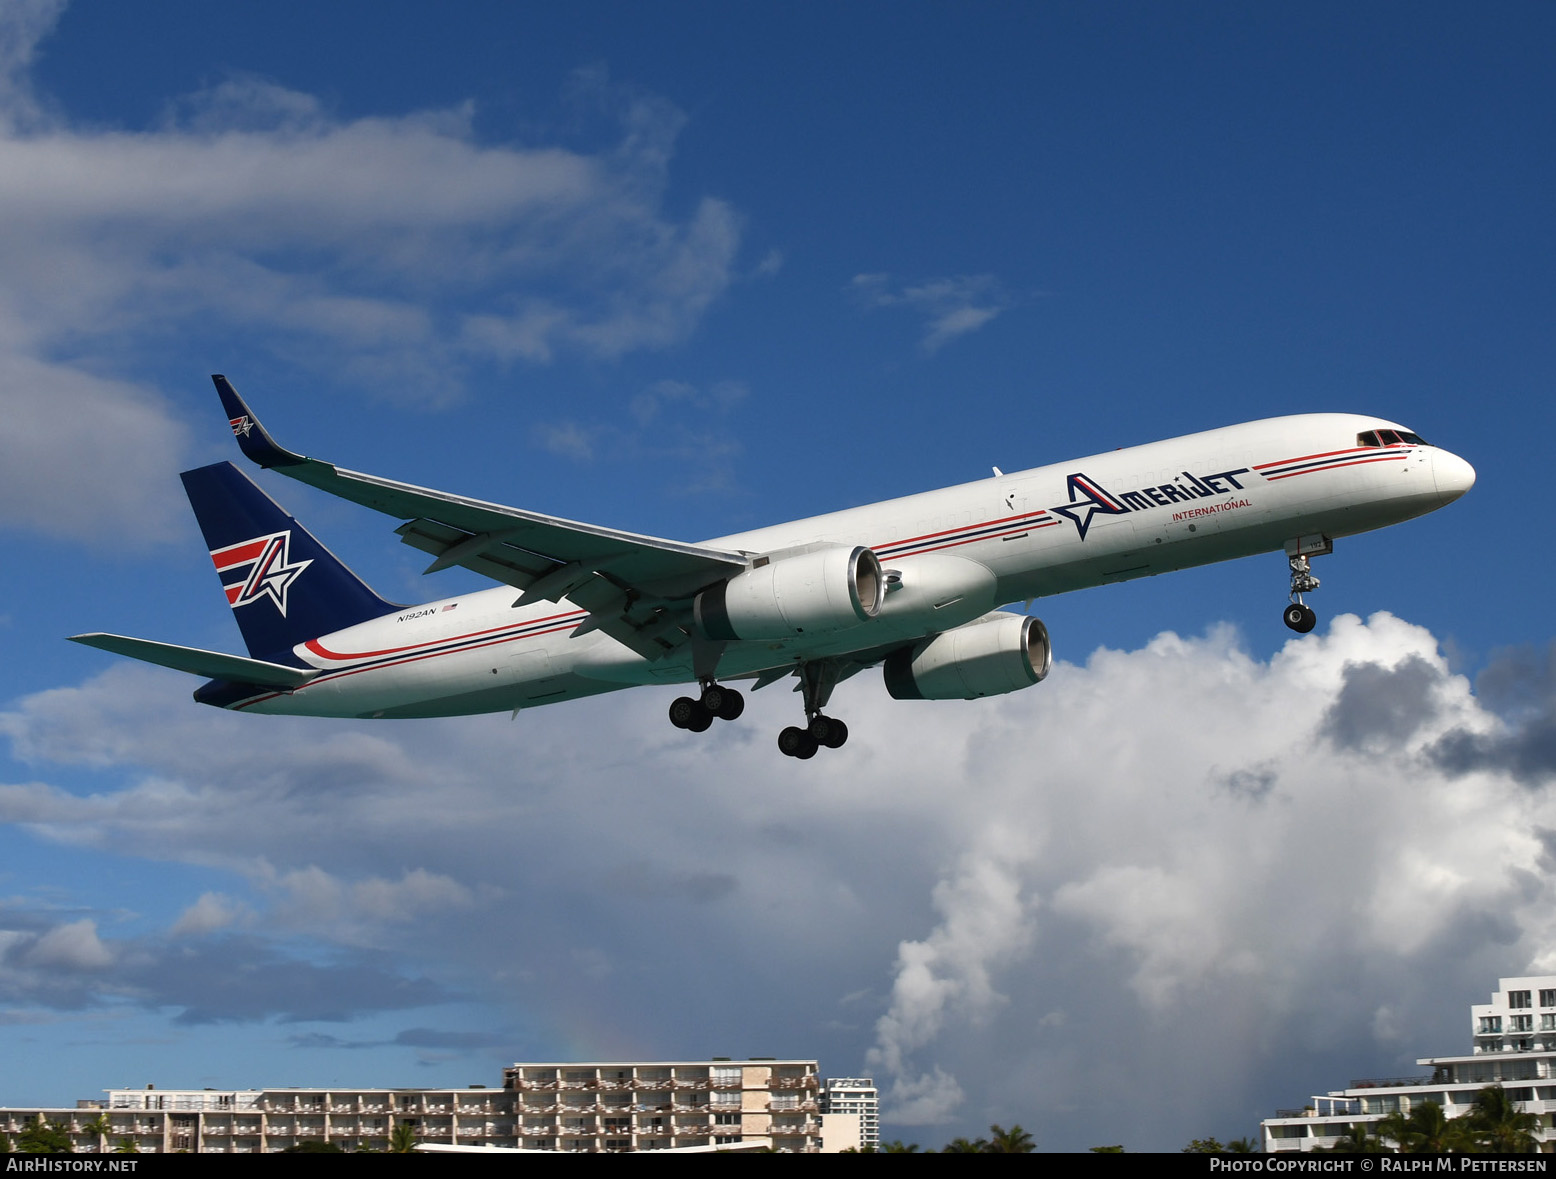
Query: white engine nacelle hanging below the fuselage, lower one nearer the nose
[[981, 659]]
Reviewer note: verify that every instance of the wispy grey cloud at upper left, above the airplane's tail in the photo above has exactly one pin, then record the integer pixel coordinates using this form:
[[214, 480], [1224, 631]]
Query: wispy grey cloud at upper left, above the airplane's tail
[[391, 251]]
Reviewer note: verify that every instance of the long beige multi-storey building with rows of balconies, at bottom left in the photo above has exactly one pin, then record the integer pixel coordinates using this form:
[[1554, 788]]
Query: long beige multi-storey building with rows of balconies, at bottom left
[[561, 1107]]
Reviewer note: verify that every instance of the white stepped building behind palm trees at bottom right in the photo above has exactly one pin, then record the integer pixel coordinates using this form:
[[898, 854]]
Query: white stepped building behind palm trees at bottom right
[[1515, 1046]]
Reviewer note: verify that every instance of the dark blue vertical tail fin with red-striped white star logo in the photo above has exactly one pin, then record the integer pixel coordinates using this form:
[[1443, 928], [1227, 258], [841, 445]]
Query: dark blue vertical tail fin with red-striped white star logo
[[282, 584]]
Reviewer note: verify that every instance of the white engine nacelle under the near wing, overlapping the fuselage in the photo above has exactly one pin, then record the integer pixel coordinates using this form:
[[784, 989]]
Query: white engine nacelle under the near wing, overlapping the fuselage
[[811, 593]]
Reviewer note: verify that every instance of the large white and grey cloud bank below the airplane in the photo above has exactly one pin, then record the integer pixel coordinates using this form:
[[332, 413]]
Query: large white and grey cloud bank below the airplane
[[1051, 908]]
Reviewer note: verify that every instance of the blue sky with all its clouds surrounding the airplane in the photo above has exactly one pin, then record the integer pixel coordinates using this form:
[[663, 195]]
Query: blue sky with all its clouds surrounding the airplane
[[690, 270]]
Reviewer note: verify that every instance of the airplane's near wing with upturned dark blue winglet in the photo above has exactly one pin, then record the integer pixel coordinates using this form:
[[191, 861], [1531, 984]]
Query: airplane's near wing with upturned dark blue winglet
[[637, 589]]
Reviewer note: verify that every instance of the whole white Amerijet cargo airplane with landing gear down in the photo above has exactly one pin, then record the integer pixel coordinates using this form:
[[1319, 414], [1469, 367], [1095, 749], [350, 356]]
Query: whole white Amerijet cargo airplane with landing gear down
[[911, 584]]
